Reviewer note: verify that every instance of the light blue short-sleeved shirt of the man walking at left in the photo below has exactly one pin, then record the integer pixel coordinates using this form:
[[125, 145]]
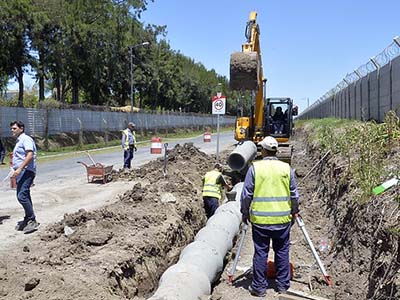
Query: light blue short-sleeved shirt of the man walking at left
[[24, 143]]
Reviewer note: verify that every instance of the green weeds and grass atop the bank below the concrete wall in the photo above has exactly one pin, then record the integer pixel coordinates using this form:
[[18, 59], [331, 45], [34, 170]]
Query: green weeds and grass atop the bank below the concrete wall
[[363, 145]]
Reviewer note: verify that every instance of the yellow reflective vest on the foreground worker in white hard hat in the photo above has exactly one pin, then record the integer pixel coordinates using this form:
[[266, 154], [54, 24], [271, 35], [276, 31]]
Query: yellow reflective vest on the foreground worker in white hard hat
[[271, 199]]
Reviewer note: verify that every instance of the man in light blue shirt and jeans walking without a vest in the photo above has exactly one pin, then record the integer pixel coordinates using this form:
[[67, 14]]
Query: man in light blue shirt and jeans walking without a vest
[[24, 165]]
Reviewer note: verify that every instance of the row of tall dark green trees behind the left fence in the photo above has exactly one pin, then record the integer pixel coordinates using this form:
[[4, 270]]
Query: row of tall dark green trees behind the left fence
[[83, 53]]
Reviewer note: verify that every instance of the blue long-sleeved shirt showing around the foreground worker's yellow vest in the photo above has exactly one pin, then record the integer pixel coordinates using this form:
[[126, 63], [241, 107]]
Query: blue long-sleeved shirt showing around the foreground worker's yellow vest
[[248, 192]]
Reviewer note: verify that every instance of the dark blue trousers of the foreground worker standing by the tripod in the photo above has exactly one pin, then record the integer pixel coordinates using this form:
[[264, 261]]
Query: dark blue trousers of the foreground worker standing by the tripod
[[280, 245]]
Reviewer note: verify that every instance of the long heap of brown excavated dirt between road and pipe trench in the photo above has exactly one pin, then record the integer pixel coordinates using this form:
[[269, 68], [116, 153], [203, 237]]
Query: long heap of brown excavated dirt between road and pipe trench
[[120, 250]]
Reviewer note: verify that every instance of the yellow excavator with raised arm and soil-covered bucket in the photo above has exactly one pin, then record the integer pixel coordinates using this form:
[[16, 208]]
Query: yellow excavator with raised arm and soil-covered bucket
[[268, 116]]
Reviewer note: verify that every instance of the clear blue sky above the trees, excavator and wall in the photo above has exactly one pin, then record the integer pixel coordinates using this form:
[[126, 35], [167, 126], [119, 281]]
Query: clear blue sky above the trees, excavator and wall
[[307, 46]]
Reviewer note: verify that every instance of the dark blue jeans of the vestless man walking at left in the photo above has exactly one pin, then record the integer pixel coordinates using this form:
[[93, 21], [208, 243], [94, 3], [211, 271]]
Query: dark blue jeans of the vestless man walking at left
[[24, 182]]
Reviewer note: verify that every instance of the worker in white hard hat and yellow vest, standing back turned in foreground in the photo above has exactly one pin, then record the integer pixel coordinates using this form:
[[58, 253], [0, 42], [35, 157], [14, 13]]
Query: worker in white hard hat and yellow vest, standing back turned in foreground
[[269, 200]]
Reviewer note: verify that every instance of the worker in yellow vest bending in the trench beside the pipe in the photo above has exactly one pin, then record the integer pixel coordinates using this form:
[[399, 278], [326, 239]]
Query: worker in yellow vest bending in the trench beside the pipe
[[213, 181]]
